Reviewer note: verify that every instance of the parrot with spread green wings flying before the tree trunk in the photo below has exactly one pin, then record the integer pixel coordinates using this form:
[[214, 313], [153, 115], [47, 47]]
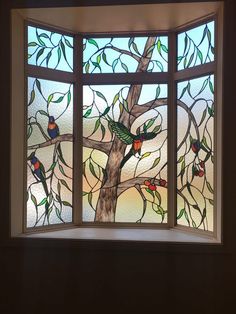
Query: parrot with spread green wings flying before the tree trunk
[[128, 138]]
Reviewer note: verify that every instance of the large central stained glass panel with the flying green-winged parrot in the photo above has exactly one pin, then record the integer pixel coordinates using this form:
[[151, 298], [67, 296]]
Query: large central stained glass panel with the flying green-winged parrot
[[125, 153]]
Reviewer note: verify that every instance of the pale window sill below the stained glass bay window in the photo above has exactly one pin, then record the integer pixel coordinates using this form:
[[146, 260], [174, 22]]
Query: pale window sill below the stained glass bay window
[[139, 235]]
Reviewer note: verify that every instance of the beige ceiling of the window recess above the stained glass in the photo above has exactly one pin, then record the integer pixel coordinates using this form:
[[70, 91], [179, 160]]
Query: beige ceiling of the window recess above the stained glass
[[135, 18]]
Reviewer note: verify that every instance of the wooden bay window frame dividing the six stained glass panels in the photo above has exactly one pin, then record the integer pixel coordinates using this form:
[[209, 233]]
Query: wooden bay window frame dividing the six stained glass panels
[[171, 78]]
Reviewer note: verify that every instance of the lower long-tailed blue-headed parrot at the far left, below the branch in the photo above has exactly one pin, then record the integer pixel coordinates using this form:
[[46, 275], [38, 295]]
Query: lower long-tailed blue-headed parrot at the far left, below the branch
[[39, 173]]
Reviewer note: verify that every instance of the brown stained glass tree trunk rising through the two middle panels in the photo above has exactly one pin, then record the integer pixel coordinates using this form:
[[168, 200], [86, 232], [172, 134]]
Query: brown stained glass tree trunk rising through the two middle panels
[[106, 205]]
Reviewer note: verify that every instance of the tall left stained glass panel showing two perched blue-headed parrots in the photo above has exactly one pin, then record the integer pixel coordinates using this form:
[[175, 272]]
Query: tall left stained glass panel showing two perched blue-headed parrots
[[50, 152]]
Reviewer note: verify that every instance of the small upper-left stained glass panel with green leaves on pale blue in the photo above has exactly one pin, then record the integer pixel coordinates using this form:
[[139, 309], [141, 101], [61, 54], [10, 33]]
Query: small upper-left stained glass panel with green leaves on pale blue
[[49, 49]]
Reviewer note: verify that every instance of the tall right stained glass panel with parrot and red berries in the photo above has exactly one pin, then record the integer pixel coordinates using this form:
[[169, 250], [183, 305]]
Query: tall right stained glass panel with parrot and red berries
[[195, 153]]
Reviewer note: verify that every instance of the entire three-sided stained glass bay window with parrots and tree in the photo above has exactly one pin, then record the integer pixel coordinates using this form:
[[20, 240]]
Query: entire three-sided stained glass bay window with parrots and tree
[[126, 166]]
